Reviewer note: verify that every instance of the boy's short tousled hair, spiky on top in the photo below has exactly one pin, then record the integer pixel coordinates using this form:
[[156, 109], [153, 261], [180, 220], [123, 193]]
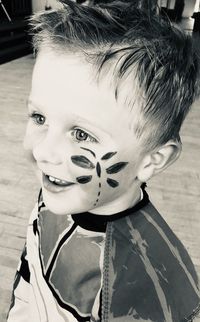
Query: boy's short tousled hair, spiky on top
[[145, 49]]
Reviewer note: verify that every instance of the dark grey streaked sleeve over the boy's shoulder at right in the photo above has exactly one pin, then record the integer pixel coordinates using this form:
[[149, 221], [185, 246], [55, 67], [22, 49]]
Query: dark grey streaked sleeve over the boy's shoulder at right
[[156, 264]]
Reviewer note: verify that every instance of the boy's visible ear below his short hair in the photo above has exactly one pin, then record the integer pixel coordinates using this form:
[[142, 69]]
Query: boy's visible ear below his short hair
[[159, 160]]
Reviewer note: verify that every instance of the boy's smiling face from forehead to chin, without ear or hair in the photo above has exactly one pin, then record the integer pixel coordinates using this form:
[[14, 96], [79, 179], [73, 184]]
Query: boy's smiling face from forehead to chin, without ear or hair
[[80, 139]]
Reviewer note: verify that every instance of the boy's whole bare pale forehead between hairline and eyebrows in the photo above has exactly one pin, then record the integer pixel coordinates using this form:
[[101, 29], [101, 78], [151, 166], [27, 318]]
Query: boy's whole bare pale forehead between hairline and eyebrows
[[67, 85]]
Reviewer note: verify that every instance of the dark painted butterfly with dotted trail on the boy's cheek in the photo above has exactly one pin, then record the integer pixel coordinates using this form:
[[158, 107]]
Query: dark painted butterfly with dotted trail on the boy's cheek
[[83, 162]]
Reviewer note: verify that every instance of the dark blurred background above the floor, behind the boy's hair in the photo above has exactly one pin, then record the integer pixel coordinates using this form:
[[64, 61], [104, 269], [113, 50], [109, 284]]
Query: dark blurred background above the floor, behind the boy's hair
[[14, 41]]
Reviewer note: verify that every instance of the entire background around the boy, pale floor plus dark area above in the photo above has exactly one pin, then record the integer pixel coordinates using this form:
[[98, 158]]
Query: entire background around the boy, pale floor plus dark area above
[[176, 192]]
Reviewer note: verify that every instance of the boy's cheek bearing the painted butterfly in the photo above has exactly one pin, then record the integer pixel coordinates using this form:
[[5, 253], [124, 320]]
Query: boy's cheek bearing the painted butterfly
[[104, 177]]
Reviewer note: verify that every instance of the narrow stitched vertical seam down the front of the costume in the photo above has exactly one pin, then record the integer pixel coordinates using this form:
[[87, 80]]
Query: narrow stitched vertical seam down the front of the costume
[[106, 273]]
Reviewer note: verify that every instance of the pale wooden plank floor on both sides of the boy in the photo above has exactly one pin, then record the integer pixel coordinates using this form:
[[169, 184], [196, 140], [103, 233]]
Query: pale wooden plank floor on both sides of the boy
[[176, 193]]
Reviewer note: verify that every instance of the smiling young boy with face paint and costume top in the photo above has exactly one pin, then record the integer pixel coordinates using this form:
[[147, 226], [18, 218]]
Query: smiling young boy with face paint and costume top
[[111, 87]]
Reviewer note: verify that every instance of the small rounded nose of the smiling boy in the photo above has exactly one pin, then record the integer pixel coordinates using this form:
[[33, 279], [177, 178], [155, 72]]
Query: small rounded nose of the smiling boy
[[50, 149]]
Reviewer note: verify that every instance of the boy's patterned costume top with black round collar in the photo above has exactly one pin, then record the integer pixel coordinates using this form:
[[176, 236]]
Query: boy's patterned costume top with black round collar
[[120, 268]]
